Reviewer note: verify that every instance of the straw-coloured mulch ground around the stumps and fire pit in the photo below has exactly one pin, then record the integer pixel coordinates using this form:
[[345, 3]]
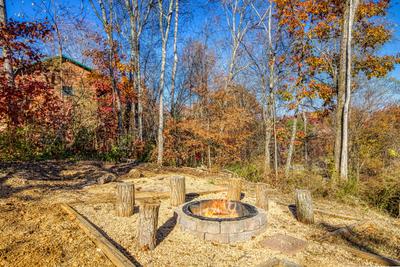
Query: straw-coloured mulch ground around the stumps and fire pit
[[35, 232]]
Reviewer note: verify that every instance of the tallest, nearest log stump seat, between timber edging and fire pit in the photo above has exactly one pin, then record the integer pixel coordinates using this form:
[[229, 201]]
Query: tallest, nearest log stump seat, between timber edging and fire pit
[[148, 222]]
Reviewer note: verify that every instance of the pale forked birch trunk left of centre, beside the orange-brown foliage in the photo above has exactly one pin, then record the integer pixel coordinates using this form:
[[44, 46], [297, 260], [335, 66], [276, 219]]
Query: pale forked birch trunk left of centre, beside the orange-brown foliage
[[164, 39]]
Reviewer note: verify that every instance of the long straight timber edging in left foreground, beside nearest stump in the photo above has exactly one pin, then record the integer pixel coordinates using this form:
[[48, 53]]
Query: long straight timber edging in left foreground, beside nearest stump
[[112, 253]]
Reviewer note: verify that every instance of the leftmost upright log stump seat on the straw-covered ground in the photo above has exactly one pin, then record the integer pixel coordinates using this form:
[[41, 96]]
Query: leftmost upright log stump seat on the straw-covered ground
[[125, 199]]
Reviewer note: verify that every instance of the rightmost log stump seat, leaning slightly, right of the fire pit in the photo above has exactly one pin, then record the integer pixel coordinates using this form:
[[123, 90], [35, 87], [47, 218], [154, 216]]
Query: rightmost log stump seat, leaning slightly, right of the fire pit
[[304, 207]]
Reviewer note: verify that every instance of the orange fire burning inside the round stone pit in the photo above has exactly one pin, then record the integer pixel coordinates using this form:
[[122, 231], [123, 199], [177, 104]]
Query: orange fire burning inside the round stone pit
[[219, 209]]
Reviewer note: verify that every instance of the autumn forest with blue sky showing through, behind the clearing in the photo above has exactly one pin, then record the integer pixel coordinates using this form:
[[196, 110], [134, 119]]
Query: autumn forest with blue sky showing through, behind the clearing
[[293, 93]]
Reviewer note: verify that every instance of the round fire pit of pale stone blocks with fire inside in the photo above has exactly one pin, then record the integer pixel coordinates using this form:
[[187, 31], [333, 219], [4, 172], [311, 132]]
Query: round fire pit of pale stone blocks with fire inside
[[221, 220]]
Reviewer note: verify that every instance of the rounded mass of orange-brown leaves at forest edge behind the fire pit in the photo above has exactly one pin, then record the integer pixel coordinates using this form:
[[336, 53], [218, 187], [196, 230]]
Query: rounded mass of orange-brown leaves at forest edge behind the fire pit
[[225, 124]]
